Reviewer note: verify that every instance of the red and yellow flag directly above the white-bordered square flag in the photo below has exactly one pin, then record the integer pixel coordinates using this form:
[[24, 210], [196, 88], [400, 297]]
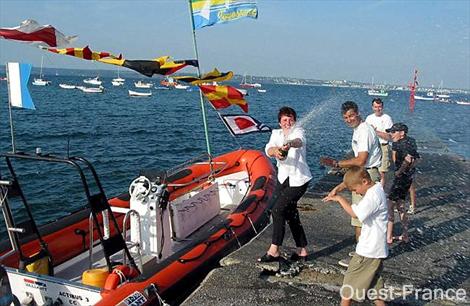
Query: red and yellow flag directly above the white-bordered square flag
[[222, 96]]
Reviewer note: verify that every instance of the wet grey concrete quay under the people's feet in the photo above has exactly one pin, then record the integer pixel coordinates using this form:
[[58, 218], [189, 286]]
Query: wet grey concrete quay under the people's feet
[[437, 257]]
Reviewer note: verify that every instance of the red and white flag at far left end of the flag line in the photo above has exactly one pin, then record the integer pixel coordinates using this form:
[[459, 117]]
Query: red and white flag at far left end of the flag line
[[32, 32]]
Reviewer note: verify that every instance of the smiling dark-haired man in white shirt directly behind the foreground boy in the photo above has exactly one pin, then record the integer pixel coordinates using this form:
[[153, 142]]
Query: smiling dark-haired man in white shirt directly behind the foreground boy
[[367, 154]]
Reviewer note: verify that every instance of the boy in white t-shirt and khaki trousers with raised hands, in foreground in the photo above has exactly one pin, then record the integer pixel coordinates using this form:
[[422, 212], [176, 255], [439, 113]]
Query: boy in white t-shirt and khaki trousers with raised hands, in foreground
[[363, 277]]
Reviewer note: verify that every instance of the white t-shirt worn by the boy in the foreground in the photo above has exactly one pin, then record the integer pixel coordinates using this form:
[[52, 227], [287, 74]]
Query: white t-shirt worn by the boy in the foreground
[[373, 213]]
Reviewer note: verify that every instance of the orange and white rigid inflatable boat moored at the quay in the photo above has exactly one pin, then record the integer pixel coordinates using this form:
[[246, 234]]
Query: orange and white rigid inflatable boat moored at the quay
[[141, 246]]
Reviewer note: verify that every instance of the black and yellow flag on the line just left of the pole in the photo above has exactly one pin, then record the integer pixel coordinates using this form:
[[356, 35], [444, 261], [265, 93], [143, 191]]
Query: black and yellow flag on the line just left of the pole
[[161, 65]]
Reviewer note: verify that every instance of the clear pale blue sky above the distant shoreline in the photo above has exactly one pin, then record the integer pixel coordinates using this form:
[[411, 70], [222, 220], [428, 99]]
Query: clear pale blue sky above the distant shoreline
[[312, 39]]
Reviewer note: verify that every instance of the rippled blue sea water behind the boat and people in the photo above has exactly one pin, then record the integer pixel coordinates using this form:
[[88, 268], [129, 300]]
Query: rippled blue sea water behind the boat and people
[[122, 135]]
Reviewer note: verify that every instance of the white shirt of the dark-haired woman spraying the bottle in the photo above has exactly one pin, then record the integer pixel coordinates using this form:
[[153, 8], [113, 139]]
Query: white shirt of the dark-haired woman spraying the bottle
[[295, 166]]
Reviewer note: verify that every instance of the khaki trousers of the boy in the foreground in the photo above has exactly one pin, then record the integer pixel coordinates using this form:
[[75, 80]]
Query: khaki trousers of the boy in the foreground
[[363, 274]]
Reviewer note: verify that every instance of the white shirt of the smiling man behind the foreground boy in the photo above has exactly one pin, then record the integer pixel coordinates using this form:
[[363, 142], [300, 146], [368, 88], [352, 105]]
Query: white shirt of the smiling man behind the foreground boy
[[365, 140]]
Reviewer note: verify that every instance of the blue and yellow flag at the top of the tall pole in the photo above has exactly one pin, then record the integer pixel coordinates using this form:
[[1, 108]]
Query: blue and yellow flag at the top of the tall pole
[[210, 12]]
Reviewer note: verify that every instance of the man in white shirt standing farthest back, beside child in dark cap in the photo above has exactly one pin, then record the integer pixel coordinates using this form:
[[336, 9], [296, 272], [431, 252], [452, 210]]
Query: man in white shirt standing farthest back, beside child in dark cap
[[380, 122]]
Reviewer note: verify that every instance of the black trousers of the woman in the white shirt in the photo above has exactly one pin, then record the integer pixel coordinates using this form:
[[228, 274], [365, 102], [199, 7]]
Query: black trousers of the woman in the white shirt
[[284, 210]]
